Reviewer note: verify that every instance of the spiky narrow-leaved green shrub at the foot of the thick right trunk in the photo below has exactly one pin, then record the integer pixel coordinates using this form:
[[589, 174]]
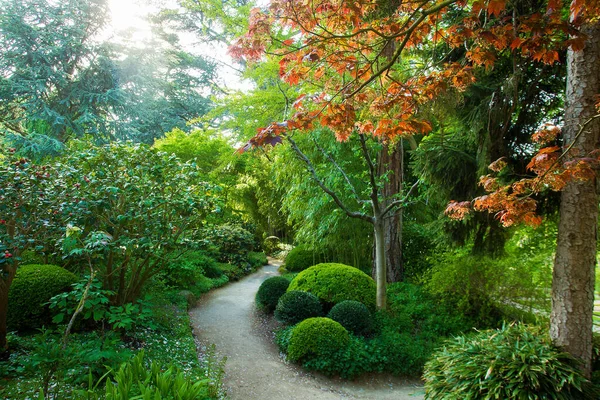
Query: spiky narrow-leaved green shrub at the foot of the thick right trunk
[[515, 362]]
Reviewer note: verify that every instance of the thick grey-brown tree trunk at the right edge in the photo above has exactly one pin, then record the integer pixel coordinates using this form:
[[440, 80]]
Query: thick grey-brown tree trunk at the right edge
[[573, 275]]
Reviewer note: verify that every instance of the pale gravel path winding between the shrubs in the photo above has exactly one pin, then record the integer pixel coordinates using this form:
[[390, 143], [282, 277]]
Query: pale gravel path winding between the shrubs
[[227, 318]]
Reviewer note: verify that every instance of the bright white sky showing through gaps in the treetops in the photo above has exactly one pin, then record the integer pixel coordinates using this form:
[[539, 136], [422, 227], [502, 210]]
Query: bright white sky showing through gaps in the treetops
[[130, 14]]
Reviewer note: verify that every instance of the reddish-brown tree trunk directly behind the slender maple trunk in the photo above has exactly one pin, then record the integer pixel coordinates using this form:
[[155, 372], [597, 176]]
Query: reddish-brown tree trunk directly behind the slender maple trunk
[[391, 162]]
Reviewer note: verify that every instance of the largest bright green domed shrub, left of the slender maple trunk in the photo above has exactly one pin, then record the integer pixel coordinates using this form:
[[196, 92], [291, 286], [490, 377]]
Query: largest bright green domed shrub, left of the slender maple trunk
[[333, 283]]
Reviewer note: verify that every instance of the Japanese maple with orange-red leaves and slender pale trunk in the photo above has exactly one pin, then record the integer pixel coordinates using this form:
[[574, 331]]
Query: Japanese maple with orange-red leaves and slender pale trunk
[[361, 76]]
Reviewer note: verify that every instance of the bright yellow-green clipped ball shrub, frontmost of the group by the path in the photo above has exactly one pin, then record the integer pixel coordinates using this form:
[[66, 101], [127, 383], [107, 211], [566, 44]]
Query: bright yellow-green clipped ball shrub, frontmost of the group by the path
[[315, 337]]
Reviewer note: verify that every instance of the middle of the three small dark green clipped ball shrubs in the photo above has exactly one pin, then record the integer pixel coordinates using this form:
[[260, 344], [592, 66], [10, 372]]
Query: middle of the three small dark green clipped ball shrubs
[[296, 306]]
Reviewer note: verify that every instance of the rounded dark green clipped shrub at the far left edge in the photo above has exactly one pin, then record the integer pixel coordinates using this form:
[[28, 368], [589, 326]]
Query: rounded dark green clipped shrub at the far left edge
[[32, 288]]
